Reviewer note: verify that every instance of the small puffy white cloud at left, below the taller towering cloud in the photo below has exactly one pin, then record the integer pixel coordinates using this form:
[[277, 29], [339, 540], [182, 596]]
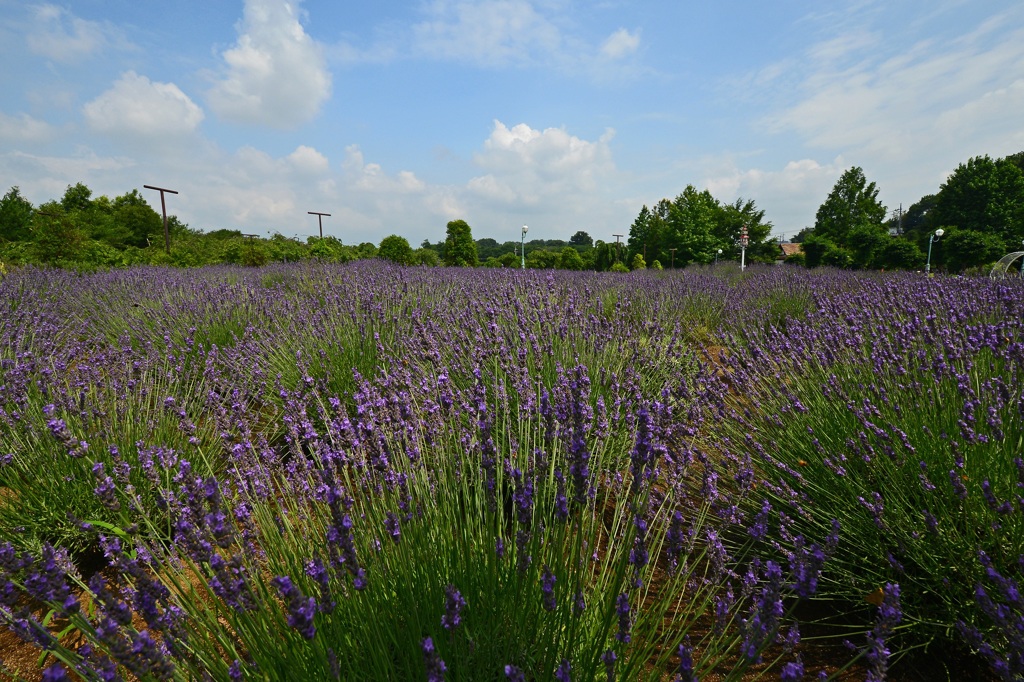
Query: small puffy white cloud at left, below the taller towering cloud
[[138, 107]]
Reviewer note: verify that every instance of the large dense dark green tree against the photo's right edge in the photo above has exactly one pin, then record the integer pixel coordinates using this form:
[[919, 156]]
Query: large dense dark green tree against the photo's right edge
[[985, 196]]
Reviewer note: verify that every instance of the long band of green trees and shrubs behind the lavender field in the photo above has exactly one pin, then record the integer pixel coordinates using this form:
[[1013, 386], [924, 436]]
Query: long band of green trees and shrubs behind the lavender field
[[980, 209]]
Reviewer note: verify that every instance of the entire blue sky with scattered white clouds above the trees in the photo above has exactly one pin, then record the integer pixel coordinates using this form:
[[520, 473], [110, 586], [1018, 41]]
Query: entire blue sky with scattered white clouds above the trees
[[564, 115]]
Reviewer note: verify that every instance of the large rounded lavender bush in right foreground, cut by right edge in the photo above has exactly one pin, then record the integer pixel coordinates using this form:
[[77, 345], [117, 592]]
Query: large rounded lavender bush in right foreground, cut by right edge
[[899, 411]]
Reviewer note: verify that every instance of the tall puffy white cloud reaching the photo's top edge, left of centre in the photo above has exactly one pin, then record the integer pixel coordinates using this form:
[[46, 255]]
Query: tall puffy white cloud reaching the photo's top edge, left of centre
[[276, 75]]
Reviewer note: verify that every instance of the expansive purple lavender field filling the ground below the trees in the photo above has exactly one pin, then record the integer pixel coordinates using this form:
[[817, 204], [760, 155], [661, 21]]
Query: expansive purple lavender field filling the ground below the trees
[[367, 473]]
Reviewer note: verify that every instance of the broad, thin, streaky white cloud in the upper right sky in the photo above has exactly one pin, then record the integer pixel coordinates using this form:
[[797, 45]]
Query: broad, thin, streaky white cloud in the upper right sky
[[857, 96]]
